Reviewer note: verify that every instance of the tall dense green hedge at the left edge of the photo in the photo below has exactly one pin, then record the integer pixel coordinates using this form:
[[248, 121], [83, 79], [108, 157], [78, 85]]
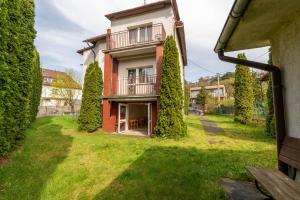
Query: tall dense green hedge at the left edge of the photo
[[17, 36]]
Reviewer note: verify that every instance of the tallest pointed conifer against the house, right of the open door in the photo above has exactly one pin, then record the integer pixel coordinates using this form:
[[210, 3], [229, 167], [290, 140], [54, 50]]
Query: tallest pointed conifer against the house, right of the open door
[[170, 120]]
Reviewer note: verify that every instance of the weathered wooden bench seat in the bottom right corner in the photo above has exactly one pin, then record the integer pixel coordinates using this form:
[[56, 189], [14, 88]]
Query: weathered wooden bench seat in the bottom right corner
[[276, 183]]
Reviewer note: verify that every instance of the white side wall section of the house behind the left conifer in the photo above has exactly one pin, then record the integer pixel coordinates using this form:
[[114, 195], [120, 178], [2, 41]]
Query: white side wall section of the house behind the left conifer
[[88, 58]]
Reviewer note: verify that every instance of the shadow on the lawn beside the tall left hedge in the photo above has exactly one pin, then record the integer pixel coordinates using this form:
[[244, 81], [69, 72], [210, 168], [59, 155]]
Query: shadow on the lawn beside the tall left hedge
[[29, 169]]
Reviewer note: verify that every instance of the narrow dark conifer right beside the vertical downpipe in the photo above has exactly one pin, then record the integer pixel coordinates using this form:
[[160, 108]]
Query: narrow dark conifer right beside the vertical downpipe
[[270, 119]]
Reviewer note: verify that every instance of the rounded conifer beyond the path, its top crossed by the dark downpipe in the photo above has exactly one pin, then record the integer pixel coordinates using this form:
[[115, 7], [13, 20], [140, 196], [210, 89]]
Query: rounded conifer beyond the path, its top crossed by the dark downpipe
[[243, 93]]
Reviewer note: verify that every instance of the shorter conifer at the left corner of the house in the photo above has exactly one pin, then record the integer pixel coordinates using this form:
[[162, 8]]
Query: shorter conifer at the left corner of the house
[[90, 118]]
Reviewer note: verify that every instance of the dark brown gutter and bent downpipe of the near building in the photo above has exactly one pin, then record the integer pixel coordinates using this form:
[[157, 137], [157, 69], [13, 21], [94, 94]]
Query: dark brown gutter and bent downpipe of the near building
[[236, 13]]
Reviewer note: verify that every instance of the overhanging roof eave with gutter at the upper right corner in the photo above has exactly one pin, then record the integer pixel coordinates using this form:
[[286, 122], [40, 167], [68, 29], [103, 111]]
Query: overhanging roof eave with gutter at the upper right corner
[[253, 23]]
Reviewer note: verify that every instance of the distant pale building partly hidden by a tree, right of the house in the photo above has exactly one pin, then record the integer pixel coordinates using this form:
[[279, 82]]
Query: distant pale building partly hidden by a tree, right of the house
[[212, 91]]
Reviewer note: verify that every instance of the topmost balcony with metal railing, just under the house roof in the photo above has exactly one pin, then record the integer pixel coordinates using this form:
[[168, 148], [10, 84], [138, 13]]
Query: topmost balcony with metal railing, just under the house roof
[[137, 36]]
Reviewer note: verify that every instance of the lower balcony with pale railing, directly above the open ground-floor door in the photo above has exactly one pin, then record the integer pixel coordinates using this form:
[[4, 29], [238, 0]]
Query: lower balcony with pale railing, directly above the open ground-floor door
[[137, 86]]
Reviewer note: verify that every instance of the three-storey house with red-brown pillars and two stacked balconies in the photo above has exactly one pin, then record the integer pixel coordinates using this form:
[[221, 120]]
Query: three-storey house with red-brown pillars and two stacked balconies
[[130, 56]]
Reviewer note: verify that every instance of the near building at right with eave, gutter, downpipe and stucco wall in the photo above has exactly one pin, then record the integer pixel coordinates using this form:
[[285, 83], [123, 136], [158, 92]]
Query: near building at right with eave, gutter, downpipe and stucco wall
[[261, 23]]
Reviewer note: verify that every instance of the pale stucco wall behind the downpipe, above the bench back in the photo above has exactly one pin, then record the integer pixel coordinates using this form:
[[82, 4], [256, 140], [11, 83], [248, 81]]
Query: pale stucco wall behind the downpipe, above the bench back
[[286, 49]]
